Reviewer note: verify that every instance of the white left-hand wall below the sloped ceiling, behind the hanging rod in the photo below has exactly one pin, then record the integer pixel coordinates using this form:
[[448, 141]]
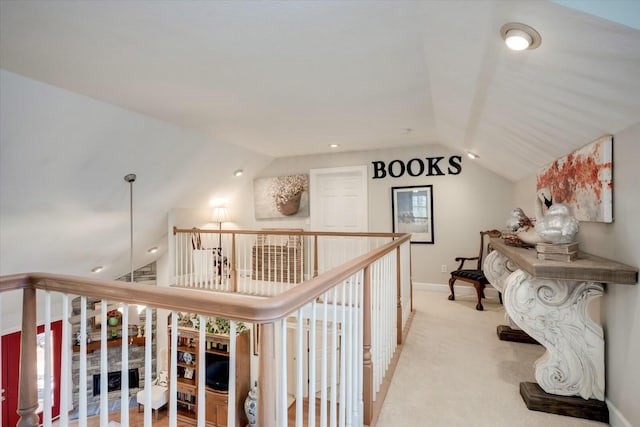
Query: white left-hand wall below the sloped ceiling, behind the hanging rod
[[63, 157]]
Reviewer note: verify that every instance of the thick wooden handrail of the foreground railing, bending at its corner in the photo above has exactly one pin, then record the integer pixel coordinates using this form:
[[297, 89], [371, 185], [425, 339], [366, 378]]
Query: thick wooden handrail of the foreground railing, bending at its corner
[[206, 302]]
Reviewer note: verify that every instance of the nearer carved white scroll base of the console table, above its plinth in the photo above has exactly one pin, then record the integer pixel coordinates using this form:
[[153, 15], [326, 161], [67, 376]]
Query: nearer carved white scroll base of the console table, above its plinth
[[554, 312]]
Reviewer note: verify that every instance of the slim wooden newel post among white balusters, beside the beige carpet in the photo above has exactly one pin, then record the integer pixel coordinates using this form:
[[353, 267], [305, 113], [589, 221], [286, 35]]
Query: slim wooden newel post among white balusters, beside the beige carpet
[[367, 364]]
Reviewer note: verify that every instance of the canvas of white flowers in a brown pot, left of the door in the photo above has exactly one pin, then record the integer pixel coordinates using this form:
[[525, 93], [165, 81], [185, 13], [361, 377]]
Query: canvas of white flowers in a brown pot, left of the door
[[281, 196]]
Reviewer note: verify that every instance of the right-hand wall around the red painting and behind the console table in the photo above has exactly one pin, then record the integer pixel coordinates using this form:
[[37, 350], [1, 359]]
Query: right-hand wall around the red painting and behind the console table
[[619, 241]]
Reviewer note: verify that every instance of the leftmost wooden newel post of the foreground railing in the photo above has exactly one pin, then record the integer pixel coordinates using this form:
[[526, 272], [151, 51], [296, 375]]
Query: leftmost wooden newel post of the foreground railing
[[28, 379]]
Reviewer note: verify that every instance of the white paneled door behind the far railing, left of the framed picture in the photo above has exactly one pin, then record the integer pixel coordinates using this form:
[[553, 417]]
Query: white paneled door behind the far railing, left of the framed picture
[[338, 201]]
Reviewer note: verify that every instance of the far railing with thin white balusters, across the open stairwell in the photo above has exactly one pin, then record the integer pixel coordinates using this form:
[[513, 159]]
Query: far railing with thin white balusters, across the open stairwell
[[262, 263]]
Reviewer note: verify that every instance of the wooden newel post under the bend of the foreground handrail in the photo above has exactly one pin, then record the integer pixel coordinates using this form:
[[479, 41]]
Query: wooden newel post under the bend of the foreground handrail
[[267, 378]]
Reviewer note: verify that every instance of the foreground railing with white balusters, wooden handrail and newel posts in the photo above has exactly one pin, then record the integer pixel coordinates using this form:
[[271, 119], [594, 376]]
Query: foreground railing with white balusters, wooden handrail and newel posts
[[344, 325]]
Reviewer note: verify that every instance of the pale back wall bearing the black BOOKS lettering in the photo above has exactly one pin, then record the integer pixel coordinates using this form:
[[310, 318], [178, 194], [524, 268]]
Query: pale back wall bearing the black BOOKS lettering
[[464, 204]]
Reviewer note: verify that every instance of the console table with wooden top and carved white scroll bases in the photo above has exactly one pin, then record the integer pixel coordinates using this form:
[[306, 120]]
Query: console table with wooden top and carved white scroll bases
[[548, 300]]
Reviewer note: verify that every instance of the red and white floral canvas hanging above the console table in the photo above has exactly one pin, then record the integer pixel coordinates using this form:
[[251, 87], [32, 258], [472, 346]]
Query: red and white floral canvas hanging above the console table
[[583, 180]]
